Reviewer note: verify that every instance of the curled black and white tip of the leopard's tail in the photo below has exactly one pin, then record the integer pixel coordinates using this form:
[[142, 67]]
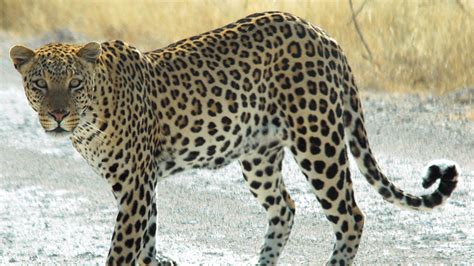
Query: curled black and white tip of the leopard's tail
[[447, 171]]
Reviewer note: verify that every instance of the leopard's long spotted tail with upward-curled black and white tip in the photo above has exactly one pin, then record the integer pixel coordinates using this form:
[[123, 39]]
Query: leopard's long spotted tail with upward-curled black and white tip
[[356, 137]]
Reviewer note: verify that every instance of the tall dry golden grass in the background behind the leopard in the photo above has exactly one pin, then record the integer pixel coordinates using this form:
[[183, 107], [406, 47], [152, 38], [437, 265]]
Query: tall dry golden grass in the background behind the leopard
[[417, 45]]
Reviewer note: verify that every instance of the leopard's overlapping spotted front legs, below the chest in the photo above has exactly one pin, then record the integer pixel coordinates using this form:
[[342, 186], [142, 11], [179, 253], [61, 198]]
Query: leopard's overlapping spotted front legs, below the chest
[[133, 240]]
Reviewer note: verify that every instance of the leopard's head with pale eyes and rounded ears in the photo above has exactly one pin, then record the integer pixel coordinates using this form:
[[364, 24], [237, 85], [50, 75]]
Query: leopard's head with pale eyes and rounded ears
[[58, 81]]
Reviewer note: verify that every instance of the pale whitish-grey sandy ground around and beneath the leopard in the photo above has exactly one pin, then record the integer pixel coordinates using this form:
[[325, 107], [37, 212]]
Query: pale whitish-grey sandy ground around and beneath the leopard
[[55, 210]]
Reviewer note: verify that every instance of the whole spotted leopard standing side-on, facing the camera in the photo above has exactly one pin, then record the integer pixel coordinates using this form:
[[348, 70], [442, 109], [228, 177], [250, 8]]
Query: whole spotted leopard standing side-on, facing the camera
[[268, 84]]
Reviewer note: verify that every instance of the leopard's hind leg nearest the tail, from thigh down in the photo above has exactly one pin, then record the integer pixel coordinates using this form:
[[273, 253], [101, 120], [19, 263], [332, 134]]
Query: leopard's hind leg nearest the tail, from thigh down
[[327, 171]]
